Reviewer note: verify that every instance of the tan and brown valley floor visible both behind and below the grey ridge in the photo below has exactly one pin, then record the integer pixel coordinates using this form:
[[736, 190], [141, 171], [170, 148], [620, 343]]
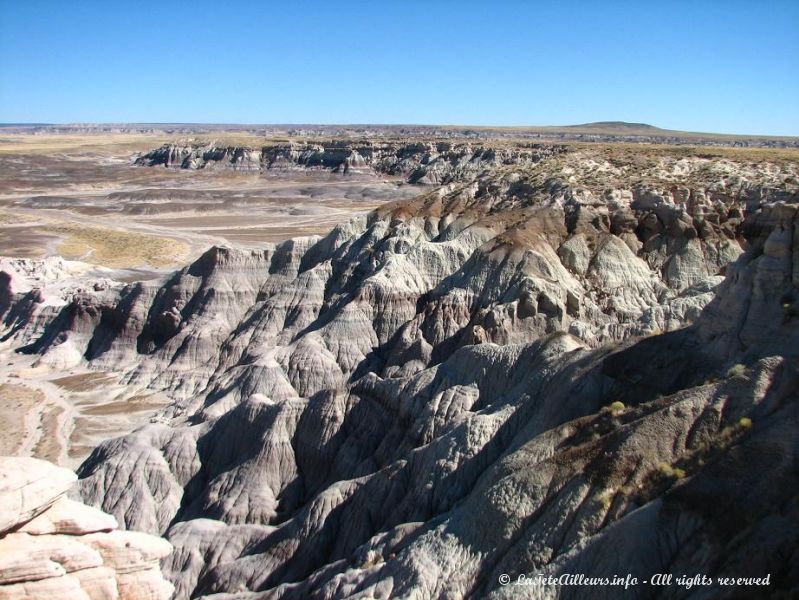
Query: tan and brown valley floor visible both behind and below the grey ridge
[[80, 197]]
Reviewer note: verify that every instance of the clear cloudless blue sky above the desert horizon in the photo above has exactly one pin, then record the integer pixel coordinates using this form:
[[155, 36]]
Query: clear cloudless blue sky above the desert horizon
[[724, 66]]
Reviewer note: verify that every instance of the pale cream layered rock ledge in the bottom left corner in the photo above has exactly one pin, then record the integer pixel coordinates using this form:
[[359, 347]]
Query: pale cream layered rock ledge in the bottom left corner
[[52, 547]]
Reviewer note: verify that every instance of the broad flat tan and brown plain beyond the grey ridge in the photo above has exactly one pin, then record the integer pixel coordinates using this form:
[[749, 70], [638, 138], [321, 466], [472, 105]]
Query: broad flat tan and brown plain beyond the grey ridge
[[81, 197]]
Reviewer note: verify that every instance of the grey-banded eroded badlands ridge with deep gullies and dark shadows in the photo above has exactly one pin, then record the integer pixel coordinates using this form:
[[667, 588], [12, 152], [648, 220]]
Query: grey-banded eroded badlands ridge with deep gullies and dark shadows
[[554, 359]]
